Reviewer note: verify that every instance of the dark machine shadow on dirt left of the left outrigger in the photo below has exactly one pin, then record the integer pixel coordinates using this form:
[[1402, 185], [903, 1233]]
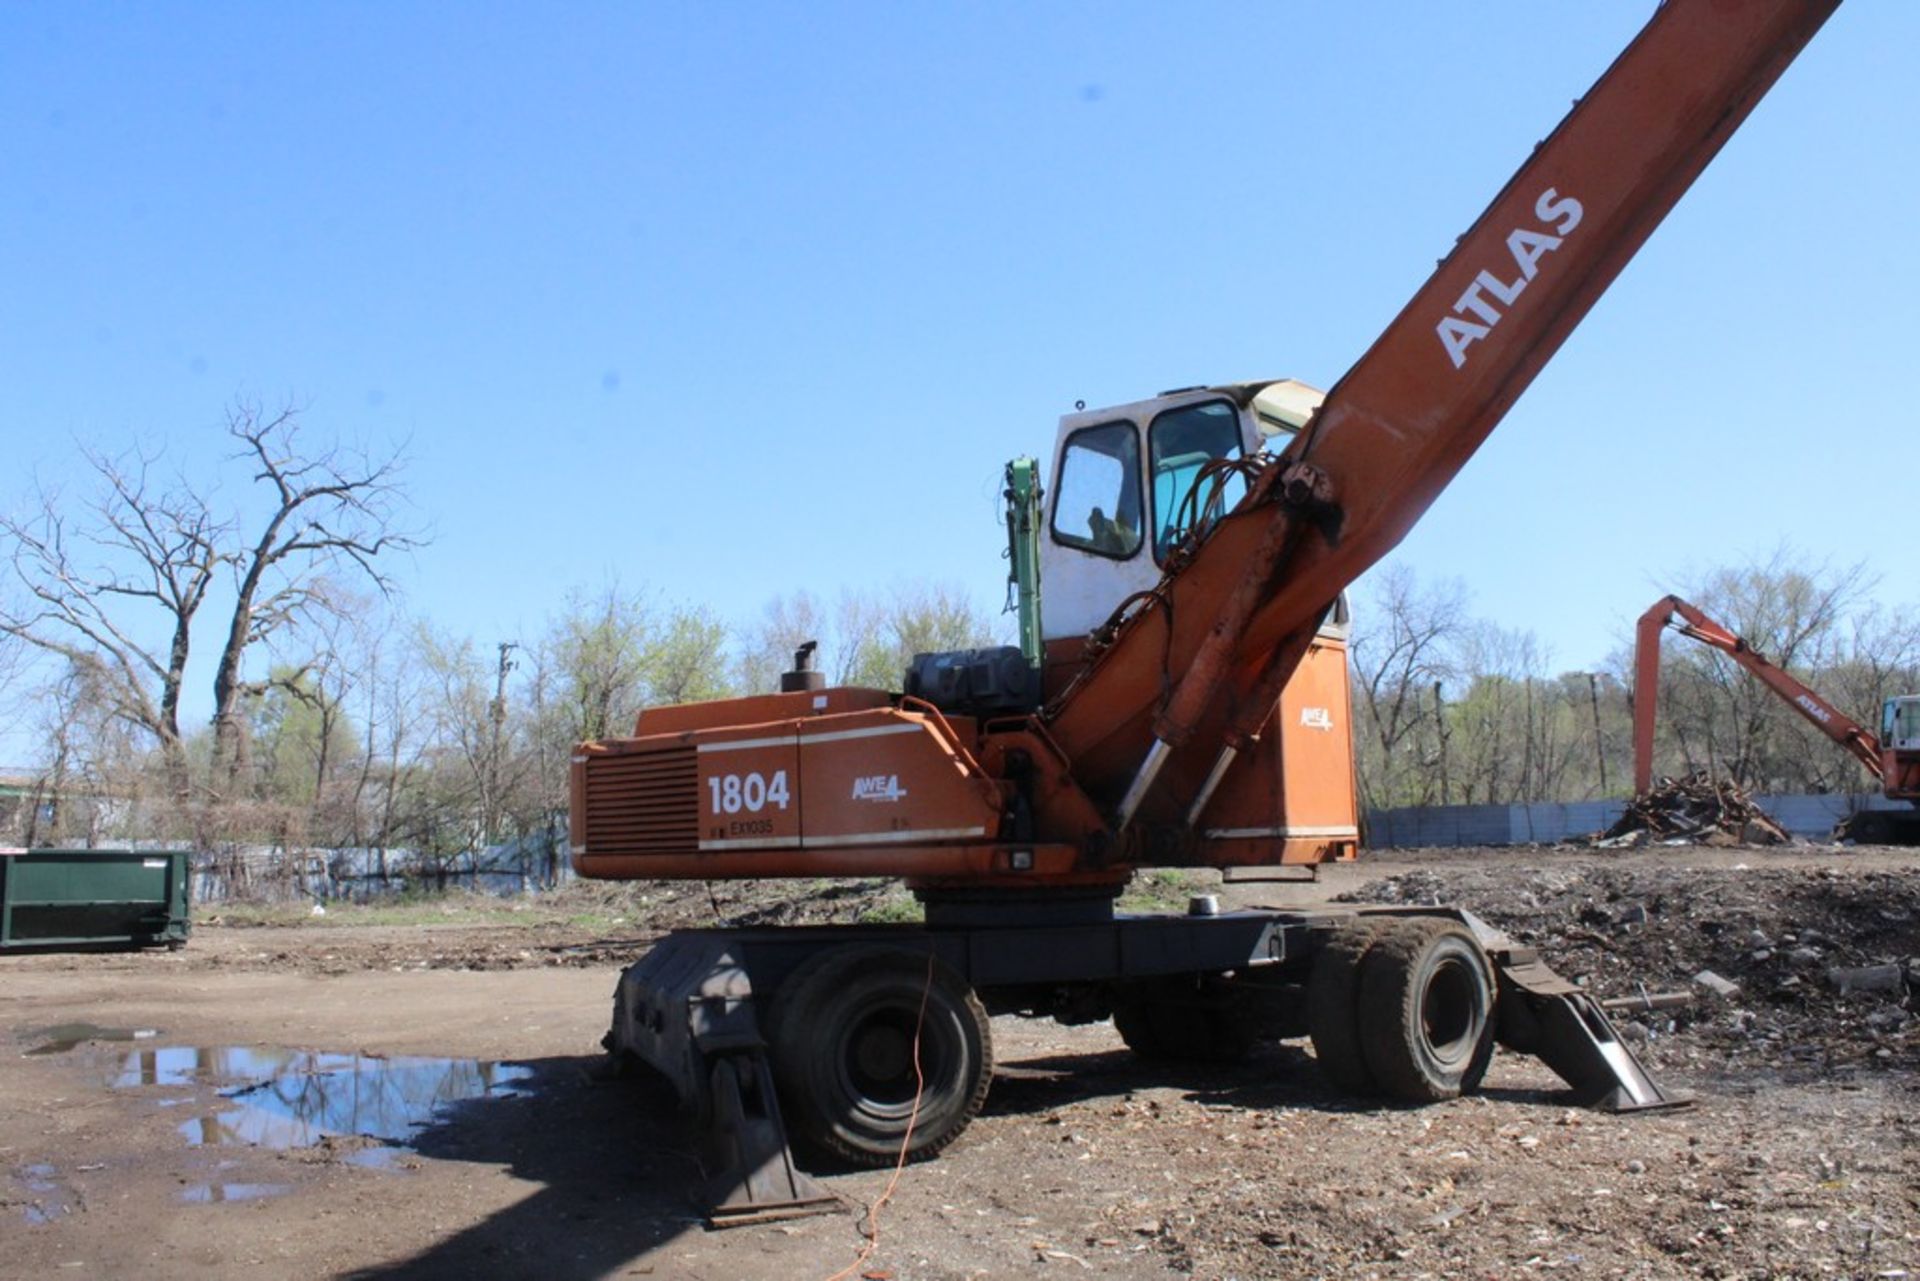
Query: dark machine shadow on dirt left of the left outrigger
[[610, 1161]]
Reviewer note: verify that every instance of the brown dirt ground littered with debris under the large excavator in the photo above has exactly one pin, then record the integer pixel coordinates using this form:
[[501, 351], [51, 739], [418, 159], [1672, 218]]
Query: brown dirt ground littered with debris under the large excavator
[[122, 1159]]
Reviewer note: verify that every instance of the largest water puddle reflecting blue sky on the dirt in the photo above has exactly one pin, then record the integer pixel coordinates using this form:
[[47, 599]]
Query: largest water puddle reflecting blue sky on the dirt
[[295, 1100]]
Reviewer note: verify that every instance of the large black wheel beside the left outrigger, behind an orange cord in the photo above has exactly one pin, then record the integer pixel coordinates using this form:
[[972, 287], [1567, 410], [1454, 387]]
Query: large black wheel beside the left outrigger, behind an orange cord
[[844, 1044]]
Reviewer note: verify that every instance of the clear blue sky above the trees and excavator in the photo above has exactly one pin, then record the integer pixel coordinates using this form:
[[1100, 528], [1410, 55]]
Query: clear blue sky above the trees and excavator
[[732, 301]]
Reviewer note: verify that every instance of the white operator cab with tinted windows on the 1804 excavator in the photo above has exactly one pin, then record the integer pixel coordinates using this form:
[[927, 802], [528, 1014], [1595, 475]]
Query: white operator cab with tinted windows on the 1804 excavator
[[1122, 479]]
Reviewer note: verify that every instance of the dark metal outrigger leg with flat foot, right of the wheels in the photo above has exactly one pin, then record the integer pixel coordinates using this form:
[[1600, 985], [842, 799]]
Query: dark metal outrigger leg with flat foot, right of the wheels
[[1547, 1017]]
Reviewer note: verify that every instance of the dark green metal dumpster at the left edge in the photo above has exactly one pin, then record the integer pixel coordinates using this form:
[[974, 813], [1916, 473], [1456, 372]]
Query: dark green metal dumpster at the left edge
[[91, 898]]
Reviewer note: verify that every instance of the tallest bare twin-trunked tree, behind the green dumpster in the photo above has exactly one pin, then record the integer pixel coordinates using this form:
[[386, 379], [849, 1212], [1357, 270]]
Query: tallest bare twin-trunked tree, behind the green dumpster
[[114, 587]]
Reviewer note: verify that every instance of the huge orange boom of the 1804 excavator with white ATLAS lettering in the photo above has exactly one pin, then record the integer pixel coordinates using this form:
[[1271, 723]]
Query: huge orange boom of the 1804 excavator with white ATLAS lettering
[[1397, 429]]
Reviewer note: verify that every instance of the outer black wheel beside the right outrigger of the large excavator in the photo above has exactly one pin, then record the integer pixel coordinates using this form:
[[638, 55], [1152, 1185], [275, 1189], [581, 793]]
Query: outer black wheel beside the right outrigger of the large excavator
[[1428, 1011]]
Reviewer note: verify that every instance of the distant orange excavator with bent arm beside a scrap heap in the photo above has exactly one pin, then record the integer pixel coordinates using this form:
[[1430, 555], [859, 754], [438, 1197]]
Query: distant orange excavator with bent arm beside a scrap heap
[[1892, 758]]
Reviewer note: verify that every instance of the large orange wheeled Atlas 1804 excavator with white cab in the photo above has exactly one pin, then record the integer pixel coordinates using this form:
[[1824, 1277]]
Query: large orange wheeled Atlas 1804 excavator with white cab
[[1180, 698]]
